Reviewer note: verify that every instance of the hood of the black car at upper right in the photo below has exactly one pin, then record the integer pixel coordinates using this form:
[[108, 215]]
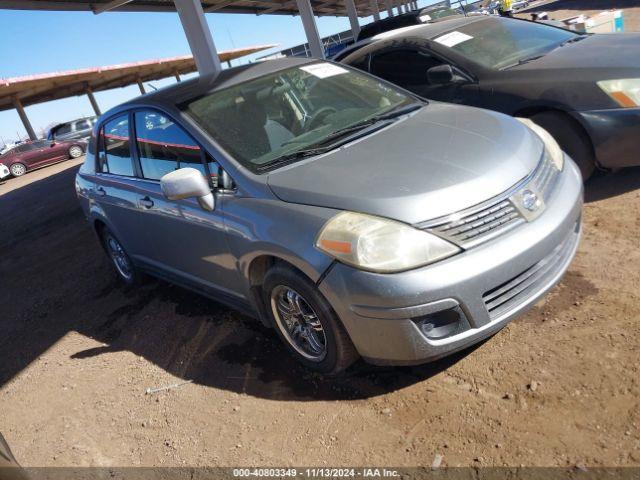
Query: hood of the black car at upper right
[[603, 51]]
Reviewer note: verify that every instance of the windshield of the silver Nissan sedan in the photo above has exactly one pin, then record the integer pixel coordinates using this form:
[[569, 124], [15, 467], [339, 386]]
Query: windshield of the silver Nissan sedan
[[277, 115]]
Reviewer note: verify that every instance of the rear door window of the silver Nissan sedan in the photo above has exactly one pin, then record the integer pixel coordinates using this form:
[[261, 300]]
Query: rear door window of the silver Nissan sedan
[[115, 155]]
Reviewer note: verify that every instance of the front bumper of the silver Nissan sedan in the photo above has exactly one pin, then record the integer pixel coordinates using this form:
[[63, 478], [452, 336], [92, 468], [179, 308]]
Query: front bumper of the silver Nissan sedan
[[381, 312]]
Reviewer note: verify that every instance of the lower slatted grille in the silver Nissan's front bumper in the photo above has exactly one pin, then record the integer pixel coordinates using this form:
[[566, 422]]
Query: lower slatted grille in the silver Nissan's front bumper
[[516, 291]]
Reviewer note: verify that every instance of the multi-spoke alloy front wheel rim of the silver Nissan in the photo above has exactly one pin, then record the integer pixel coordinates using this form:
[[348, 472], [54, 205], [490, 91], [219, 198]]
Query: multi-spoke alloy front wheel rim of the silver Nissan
[[299, 323]]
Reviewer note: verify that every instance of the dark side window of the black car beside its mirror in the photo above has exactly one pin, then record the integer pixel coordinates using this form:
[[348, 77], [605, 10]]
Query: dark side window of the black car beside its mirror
[[404, 67]]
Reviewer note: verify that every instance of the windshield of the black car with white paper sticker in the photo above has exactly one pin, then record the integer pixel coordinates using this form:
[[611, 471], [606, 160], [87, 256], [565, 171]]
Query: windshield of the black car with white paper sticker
[[500, 43]]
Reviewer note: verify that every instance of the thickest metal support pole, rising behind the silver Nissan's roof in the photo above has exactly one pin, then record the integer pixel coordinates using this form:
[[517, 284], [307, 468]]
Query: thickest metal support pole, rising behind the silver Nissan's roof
[[199, 36]]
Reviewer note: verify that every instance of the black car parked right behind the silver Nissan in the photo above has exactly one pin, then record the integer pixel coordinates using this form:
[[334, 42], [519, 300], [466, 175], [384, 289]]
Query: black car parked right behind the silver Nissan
[[584, 89]]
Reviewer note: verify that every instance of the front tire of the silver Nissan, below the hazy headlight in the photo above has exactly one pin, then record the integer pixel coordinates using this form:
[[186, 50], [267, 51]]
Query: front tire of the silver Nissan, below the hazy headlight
[[321, 321]]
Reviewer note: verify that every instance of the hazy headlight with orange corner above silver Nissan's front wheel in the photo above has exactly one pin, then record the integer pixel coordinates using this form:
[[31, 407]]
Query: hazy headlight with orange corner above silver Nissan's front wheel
[[380, 245]]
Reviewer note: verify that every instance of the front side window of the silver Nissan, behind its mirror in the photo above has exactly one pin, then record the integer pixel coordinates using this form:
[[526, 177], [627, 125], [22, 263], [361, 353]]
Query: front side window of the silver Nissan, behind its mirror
[[163, 146]]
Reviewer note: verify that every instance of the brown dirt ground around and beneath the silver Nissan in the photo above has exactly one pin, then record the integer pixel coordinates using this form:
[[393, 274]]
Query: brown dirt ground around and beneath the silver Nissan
[[558, 387]]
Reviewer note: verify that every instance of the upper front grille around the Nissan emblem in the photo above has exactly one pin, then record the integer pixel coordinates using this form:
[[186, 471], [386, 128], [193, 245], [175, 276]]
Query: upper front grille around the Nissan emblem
[[478, 224]]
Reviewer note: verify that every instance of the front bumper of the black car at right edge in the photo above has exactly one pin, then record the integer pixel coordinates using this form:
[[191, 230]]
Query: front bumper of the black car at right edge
[[615, 135]]
